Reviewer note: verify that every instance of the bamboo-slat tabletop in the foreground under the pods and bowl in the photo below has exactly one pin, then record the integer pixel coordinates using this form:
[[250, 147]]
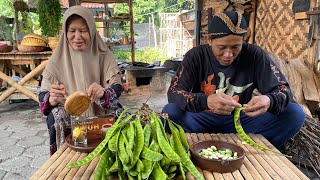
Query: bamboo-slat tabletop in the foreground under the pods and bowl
[[257, 164]]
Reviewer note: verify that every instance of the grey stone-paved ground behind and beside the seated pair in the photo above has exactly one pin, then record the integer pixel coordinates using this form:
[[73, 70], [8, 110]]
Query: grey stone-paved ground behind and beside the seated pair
[[24, 141]]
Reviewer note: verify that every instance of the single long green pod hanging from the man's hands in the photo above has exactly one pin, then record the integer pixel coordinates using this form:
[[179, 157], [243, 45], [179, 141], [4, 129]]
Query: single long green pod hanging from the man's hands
[[245, 137]]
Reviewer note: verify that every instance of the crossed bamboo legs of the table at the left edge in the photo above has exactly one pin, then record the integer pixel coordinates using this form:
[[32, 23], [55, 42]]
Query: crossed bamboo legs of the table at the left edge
[[18, 85]]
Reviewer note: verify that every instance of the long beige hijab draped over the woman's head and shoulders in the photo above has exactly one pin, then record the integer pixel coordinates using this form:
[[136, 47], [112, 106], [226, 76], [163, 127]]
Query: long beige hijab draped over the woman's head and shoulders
[[77, 70]]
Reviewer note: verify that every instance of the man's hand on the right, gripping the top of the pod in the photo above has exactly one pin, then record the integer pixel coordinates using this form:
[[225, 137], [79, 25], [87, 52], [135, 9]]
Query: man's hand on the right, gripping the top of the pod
[[257, 106]]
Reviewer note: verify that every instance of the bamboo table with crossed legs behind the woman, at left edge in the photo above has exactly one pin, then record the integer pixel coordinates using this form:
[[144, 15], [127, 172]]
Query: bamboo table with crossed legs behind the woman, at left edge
[[13, 60]]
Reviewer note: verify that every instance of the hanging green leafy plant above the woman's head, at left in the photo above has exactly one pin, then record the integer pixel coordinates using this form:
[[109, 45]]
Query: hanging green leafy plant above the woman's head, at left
[[49, 17]]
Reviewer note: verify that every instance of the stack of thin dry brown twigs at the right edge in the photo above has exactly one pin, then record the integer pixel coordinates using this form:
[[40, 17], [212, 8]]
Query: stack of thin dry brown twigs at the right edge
[[306, 144]]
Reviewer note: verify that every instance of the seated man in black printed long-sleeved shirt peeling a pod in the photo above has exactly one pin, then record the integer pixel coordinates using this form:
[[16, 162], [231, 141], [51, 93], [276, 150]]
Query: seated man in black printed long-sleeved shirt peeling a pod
[[215, 78]]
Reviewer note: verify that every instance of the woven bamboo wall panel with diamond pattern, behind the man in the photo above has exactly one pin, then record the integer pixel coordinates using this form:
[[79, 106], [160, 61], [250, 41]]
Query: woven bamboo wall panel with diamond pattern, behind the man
[[278, 32]]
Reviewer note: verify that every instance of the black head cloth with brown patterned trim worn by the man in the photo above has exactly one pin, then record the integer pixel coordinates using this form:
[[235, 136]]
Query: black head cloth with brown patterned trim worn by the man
[[227, 23]]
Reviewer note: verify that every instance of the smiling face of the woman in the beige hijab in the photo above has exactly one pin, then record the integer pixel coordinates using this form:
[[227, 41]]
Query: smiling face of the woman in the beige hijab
[[78, 34]]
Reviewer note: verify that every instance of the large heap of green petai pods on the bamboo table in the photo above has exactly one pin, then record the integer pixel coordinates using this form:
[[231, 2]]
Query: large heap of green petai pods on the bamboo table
[[137, 147]]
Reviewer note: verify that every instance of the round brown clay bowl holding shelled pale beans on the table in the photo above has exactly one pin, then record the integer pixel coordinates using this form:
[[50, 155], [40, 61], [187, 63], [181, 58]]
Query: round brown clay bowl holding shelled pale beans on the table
[[217, 165]]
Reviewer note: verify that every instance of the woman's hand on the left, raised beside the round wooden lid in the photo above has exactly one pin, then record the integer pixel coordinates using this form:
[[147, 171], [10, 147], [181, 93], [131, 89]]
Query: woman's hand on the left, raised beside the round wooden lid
[[57, 94]]
